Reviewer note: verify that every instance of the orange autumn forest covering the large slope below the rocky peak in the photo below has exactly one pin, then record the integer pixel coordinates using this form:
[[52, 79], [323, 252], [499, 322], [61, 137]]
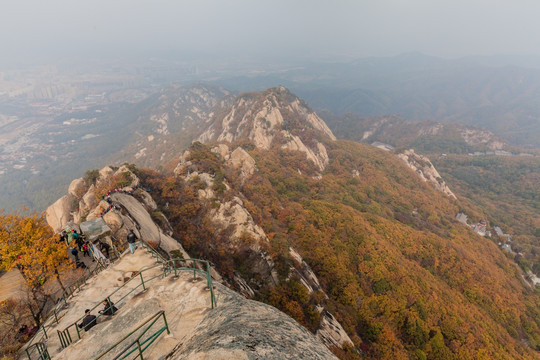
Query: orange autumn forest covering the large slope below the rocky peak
[[403, 277]]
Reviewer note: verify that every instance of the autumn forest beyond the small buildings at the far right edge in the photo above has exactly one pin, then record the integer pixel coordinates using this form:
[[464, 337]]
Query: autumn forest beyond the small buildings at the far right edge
[[504, 189]]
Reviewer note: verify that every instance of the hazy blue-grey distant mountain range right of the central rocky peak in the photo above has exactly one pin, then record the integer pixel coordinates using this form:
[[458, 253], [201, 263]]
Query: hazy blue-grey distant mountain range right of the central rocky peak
[[471, 91]]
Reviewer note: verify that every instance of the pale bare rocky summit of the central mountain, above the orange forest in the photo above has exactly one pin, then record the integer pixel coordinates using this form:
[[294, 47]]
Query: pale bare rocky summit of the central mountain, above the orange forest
[[274, 117]]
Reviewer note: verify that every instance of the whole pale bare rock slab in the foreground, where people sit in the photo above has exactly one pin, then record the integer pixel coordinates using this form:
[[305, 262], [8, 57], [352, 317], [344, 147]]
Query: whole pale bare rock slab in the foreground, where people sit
[[235, 329]]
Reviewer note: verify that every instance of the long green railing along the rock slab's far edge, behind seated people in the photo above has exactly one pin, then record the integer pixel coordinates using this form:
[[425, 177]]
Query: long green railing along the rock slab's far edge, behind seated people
[[169, 267]]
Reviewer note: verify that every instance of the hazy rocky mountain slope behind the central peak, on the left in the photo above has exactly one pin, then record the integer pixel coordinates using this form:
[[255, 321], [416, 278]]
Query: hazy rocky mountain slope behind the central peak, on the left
[[148, 132]]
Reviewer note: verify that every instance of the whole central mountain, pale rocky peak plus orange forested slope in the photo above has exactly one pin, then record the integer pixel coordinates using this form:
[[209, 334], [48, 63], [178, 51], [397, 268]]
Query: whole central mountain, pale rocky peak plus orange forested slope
[[360, 250]]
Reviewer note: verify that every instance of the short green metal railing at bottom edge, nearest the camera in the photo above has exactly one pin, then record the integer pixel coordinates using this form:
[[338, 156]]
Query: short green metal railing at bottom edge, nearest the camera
[[142, 342]]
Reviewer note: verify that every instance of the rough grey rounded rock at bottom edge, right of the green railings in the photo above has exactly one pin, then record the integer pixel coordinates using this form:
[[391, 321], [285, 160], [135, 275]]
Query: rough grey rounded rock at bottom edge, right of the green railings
[[245, 329]]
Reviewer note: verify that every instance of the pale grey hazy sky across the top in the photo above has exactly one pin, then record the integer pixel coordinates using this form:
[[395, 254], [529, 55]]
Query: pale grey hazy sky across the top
[[449, 28]]
